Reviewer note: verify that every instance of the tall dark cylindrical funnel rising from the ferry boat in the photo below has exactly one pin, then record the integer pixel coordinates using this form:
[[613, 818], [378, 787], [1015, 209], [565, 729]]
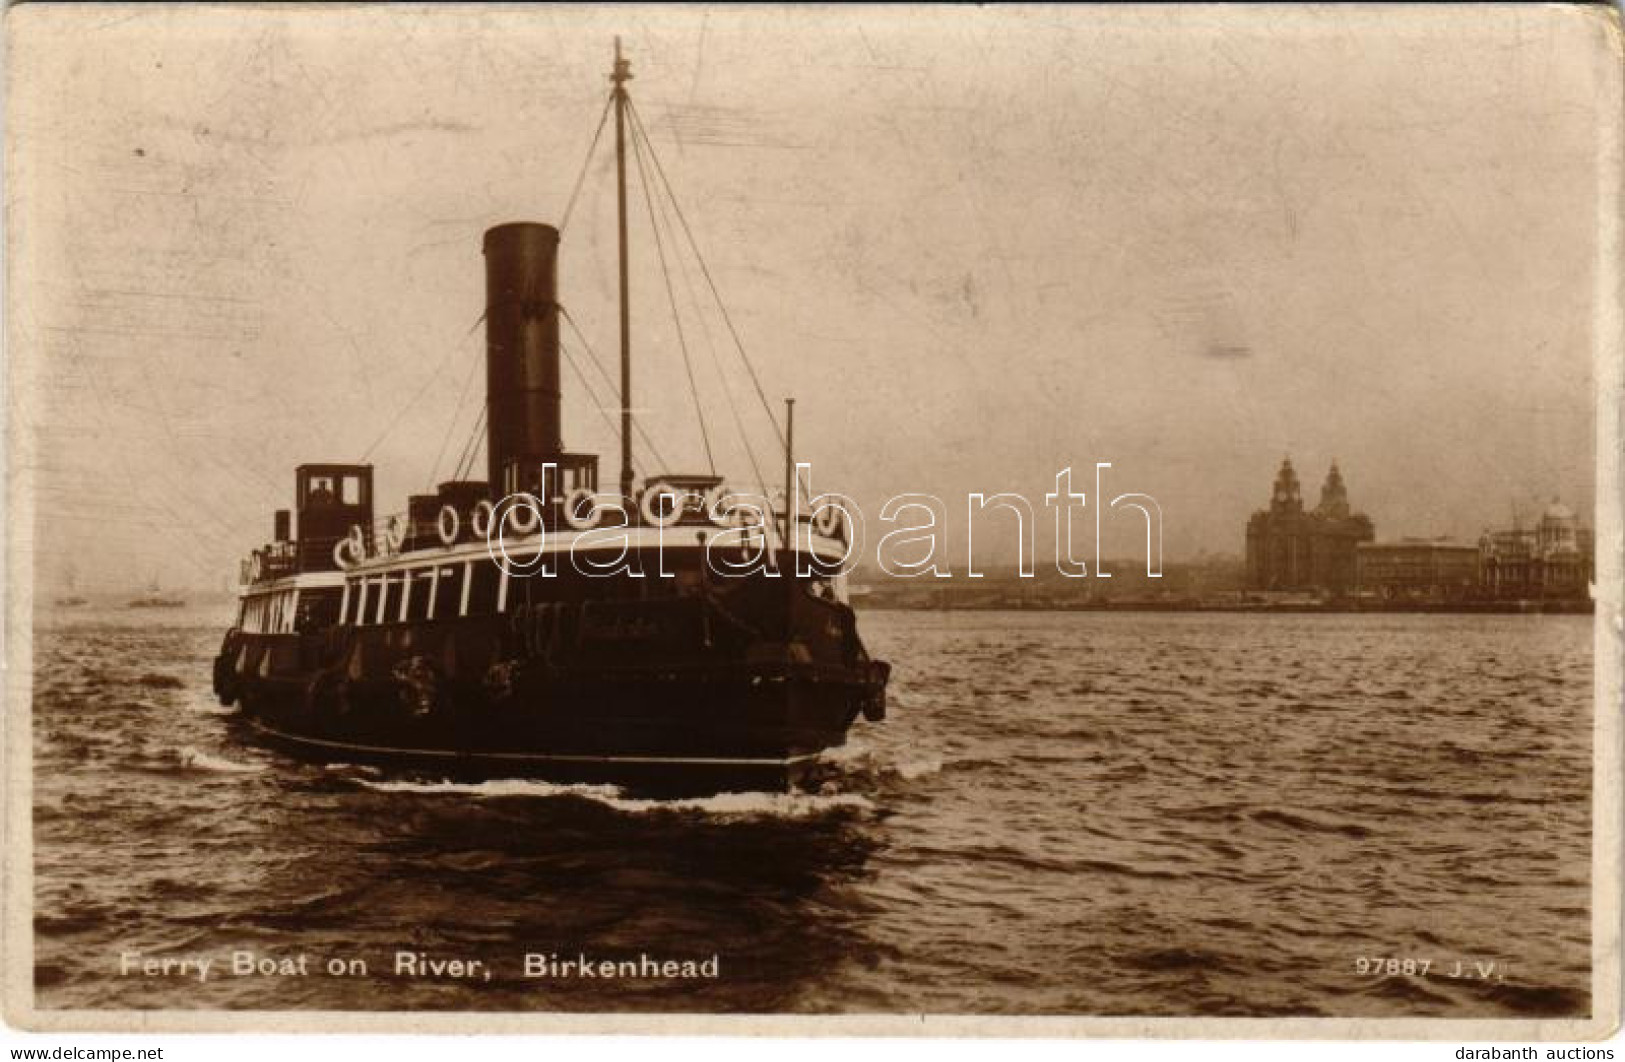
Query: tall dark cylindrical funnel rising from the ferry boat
[[522, 355]]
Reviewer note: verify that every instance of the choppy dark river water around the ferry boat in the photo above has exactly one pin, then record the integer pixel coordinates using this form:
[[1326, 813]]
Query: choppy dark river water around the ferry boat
[[1096, 814]]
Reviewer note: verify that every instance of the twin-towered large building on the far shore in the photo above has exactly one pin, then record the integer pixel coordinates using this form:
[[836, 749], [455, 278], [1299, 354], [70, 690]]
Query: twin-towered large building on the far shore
[[1306, 551]]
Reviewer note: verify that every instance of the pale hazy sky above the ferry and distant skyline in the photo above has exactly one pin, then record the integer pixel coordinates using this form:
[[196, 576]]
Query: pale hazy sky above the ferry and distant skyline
[[976, 244]]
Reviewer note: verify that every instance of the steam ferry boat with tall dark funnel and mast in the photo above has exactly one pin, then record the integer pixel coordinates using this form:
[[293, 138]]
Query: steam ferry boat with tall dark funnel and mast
[[669, 636]]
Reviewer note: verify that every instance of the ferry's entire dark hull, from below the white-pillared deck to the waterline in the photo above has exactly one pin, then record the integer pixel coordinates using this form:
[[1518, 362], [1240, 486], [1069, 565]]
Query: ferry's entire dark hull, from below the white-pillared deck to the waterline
[[737, 688]]
